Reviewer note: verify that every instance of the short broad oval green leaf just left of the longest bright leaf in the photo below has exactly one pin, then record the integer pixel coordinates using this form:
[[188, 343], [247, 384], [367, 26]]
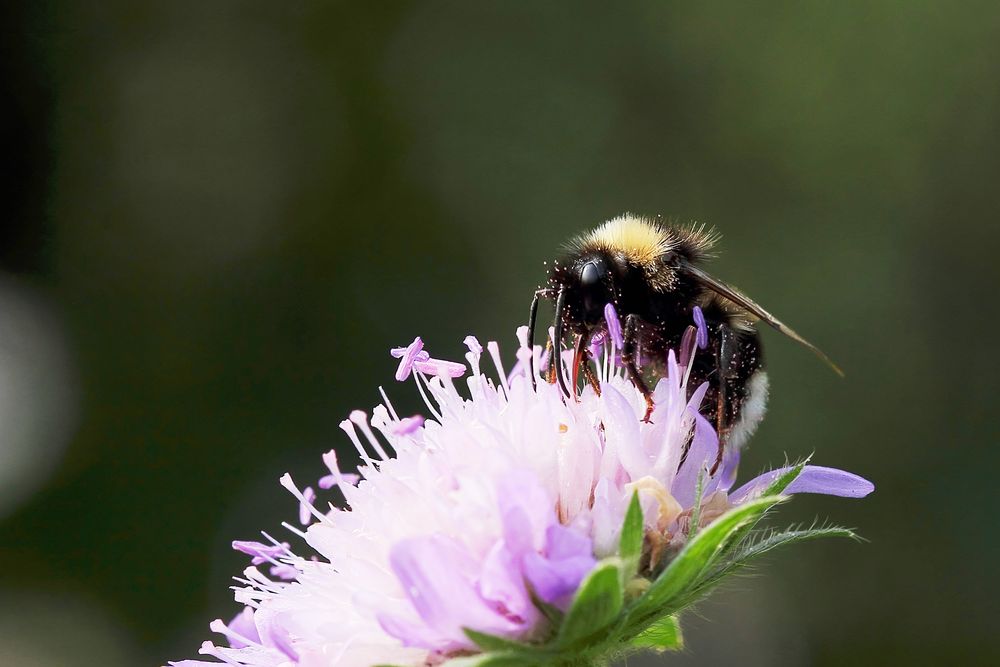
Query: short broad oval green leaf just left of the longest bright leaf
[[596, 605]]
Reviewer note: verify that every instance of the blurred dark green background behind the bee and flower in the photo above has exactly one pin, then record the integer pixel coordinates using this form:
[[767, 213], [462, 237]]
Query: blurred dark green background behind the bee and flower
[[220, 216]]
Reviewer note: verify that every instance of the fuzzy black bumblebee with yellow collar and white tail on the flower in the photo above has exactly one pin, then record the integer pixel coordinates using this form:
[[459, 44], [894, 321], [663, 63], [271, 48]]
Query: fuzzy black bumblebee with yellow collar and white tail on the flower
[[651, 272]]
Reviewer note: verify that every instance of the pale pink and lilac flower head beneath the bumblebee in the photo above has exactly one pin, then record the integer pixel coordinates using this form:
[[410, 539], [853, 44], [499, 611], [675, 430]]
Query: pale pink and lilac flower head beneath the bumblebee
[[497, 514]]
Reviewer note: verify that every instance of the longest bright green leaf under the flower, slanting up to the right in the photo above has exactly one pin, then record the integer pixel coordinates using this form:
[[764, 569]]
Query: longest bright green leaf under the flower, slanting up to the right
[[697, 556]]
